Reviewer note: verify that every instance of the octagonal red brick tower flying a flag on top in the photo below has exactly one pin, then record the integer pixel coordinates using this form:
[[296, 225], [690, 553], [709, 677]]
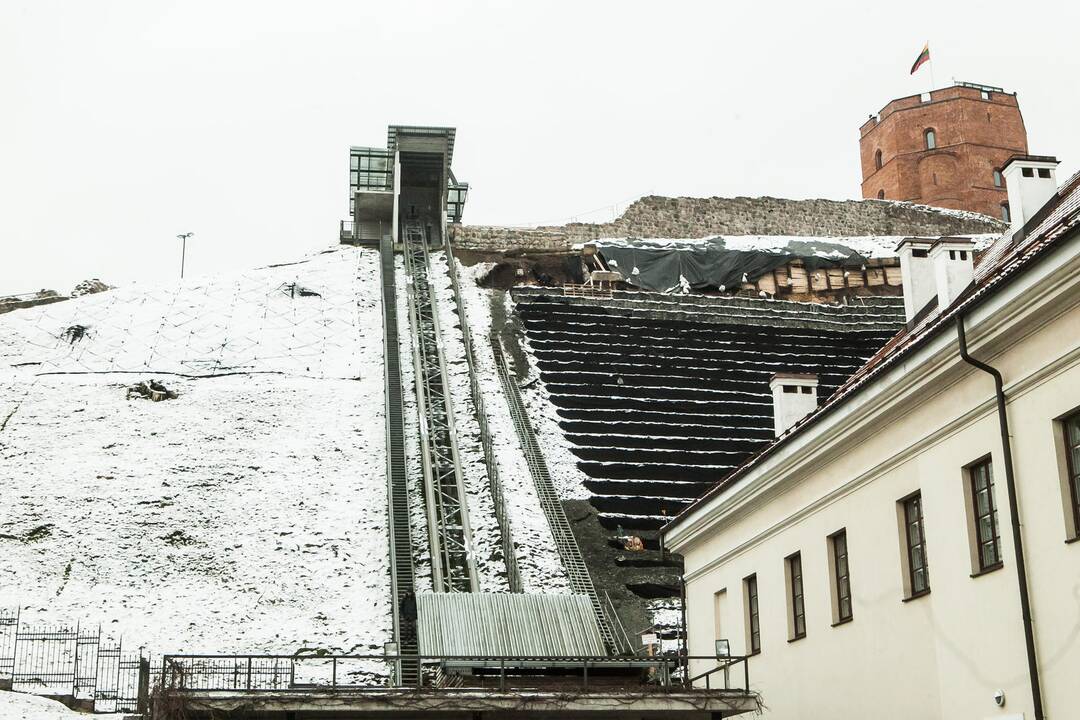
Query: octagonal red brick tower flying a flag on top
[[946, 148]]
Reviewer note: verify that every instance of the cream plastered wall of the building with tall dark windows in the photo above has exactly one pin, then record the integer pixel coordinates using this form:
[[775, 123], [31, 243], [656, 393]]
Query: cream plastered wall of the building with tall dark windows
[[944, 655]]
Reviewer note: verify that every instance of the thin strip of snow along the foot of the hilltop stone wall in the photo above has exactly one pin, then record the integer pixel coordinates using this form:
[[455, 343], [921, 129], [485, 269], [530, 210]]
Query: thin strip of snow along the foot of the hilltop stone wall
[[831, 248]]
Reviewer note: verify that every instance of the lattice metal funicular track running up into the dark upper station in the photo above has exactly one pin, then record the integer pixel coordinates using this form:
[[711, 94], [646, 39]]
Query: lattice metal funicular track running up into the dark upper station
[[450, 536]]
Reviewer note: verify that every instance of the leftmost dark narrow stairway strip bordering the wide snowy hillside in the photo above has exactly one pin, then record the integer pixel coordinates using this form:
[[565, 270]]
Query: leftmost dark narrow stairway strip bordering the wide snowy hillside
[[401, 545]]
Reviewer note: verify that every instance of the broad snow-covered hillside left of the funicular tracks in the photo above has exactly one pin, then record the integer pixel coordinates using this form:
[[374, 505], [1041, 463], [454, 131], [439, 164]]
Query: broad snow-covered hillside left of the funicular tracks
[[248, 514]]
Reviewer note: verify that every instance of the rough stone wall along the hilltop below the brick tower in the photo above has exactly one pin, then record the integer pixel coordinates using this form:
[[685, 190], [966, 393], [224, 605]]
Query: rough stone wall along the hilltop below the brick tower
[[697, 218]]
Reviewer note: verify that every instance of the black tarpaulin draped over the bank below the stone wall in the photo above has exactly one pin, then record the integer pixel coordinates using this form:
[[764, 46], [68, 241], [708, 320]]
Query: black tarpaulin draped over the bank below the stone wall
[[708, 264]]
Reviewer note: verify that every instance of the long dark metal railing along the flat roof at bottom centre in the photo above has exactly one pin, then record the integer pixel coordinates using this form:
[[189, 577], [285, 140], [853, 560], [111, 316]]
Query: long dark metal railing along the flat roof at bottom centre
[[458, 673]]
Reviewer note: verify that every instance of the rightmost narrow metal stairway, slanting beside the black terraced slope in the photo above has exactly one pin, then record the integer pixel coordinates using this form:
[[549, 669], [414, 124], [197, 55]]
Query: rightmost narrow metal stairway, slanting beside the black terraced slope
[[569, 551]]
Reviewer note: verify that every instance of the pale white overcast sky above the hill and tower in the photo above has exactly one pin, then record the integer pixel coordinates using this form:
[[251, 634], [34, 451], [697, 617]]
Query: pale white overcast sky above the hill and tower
[[126, 124]]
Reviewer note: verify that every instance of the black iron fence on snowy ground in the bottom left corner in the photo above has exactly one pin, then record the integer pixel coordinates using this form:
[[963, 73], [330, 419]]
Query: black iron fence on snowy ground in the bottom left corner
[[65, 661]]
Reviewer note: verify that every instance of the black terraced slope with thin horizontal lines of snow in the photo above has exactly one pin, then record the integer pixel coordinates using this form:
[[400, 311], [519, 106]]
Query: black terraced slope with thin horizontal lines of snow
[[661, 397]]
